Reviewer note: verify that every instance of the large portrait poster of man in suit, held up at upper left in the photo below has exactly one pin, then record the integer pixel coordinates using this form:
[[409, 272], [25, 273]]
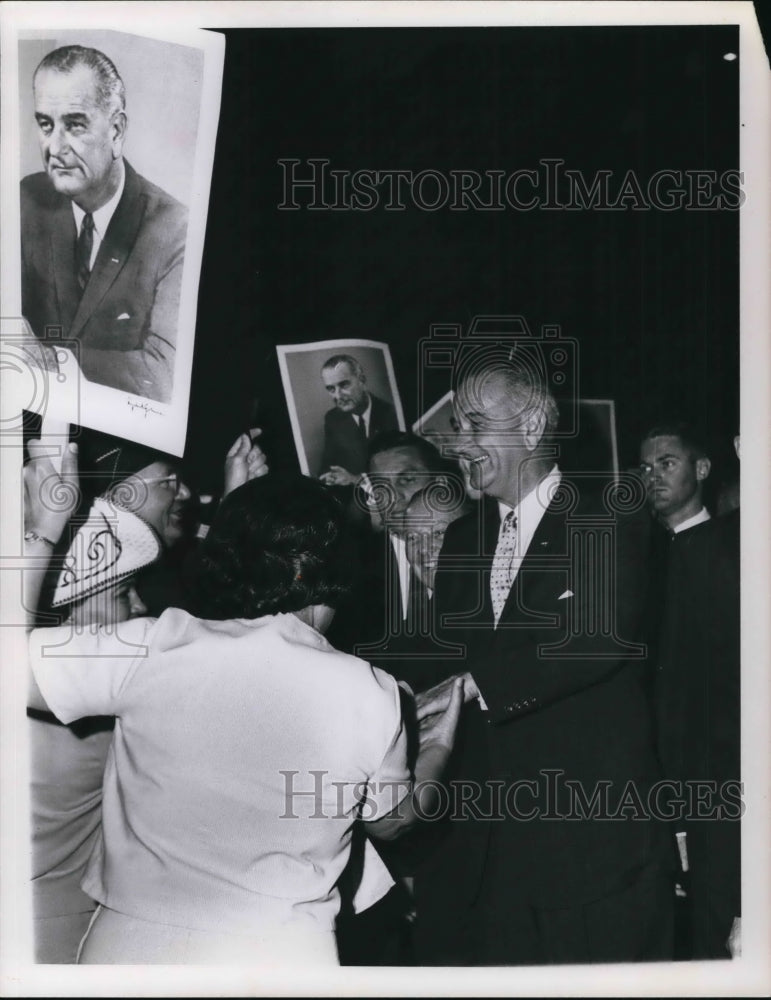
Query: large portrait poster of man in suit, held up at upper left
[[110, 252]]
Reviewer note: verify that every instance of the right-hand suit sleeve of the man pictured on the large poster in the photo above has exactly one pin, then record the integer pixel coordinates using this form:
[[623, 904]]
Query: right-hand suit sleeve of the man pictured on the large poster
[[148, 369]]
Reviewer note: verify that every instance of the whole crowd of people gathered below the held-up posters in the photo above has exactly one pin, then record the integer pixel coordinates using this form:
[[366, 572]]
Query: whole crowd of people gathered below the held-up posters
[[491, 720]]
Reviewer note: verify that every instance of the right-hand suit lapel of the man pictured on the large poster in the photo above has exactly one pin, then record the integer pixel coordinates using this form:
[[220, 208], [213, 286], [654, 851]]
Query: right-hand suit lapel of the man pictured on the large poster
[[114, 251]]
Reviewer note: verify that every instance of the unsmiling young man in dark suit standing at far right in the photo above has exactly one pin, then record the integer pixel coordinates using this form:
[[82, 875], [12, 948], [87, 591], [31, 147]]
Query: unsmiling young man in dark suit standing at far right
[[695, 638]]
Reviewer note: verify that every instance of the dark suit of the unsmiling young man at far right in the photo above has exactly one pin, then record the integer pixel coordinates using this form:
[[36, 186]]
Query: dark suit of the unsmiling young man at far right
[[698, 713]]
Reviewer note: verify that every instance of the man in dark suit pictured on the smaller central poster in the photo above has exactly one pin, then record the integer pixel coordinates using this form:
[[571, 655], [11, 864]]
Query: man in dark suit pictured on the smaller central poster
[[356, 418]]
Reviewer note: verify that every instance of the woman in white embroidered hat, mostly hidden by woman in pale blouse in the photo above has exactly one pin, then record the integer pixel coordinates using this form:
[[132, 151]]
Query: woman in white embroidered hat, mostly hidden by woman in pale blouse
[[95, 585]]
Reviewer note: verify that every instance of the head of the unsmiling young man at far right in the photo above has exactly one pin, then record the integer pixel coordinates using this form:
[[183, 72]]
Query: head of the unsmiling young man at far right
[[675, 465]]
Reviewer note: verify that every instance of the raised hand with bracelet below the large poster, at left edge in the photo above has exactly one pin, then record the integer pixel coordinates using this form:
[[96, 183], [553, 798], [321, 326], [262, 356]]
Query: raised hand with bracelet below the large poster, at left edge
[[50, 497]]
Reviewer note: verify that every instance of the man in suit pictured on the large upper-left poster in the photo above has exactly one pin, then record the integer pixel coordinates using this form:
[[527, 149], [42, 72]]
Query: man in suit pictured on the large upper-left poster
[[102, 248]]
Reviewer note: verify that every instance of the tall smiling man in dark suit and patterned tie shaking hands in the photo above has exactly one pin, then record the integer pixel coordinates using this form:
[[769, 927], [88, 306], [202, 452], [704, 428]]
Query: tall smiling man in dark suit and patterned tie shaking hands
[[555, 857]]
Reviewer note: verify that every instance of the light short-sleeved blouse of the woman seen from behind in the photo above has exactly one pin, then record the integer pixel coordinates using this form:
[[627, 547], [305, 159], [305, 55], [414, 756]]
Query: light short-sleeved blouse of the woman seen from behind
[[243, 752]]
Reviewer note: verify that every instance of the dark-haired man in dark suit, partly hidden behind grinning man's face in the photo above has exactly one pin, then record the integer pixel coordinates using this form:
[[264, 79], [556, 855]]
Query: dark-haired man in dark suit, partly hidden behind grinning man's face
[[387, 621]]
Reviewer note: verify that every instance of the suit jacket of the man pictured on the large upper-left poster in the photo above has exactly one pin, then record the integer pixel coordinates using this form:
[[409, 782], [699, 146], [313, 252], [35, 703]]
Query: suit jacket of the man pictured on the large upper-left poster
[[124, 327]]
